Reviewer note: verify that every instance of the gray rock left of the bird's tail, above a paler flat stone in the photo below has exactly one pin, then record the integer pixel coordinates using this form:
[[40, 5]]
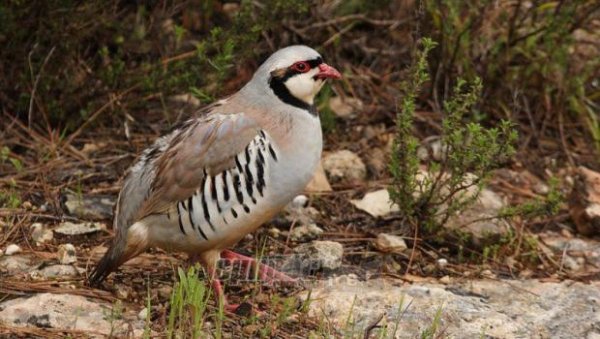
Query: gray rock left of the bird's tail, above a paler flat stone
[[95, 207]]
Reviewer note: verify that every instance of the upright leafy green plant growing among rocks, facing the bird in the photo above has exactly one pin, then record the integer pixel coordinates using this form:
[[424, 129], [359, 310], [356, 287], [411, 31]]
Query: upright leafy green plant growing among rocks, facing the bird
[[469, 153]]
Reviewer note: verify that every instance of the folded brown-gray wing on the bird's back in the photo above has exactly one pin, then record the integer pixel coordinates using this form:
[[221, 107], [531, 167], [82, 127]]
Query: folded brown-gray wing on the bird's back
[[172, 169]]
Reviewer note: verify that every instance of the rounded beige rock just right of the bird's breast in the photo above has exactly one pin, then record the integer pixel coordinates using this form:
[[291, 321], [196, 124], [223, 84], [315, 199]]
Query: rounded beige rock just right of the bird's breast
[[344, 165]]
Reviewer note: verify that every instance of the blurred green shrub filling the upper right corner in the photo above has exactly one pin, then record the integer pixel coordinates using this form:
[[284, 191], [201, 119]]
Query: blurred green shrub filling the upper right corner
[[533, 58]]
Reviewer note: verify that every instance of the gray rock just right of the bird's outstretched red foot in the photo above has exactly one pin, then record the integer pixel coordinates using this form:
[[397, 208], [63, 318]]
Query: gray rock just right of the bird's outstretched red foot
[[315, 256]]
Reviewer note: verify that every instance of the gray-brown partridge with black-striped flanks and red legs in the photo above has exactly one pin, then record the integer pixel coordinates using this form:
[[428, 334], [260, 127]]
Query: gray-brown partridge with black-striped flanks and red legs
[[225, 171]]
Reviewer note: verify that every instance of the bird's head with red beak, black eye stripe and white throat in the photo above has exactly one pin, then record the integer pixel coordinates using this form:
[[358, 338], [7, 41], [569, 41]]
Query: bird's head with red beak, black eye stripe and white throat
[[296, 74]]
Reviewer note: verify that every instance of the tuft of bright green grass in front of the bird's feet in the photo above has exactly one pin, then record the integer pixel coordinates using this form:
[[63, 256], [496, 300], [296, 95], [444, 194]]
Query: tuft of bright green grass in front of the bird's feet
[[189, 301]]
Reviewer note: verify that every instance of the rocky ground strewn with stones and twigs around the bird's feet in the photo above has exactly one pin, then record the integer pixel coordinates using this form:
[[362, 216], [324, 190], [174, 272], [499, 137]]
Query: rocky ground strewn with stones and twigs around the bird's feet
[[357, 284]]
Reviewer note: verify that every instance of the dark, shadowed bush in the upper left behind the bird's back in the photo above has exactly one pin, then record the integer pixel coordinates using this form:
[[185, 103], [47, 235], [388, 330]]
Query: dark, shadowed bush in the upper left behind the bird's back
[[62, 60]]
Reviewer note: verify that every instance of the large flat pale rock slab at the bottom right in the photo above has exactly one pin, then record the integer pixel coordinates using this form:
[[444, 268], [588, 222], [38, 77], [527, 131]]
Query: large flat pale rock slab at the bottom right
[[476, 309]]
